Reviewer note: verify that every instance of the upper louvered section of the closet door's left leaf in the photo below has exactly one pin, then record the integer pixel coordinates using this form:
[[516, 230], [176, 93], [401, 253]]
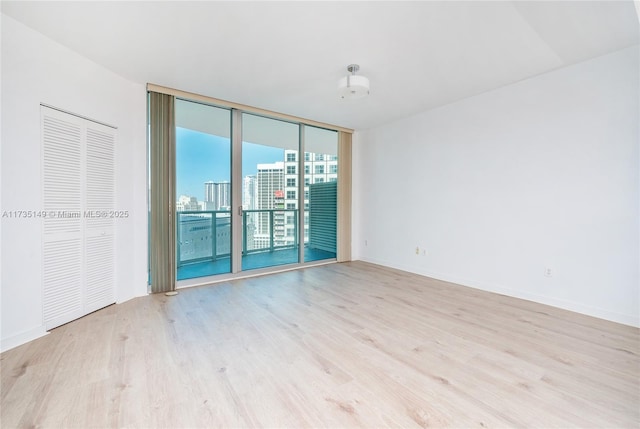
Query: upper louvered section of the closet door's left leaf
[[62, 151]]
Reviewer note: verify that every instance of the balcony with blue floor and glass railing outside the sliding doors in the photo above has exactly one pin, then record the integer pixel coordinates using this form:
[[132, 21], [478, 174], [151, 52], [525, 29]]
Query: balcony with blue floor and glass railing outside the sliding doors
[[269, 238]]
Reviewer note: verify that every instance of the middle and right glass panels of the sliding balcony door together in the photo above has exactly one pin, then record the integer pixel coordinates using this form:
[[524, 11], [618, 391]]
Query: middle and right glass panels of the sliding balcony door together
[[289, 201]]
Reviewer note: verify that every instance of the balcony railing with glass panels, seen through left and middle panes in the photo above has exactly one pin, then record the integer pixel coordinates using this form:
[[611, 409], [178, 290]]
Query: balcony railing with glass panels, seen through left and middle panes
[[206, 235]]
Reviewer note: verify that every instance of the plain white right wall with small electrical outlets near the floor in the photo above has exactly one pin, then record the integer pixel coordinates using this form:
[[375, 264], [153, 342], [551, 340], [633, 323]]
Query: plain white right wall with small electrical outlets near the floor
[[495, 188]]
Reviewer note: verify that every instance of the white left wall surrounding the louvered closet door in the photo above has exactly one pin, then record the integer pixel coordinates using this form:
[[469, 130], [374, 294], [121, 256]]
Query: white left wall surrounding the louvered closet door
[[37, 70]]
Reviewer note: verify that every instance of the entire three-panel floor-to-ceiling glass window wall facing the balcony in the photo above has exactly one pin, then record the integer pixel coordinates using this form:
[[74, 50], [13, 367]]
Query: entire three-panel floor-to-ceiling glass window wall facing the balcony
[[252, 191]]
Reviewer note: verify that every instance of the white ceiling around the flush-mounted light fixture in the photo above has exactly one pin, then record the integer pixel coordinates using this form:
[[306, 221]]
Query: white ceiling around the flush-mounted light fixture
[[288, 56]]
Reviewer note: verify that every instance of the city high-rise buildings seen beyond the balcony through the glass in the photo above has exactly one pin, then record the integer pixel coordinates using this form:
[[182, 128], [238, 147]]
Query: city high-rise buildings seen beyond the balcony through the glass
[[271, 200]]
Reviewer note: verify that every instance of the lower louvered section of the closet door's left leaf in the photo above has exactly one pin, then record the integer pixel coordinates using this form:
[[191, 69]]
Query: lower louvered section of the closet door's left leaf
[[62, 280]]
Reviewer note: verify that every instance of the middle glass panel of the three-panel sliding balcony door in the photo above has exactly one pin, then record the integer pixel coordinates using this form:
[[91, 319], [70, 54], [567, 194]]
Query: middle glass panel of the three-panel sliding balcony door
[[270, 192]]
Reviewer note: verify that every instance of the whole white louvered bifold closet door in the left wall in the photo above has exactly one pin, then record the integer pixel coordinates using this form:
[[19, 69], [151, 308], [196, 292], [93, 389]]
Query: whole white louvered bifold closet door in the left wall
[[78, 230]]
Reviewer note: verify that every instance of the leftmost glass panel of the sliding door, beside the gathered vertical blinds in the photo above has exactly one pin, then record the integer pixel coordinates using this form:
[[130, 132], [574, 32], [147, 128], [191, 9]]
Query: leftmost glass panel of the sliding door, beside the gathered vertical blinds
[[203, 190]]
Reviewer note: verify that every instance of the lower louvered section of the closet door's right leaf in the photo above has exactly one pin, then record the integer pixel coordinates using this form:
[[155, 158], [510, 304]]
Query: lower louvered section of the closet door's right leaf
[[99, 254]]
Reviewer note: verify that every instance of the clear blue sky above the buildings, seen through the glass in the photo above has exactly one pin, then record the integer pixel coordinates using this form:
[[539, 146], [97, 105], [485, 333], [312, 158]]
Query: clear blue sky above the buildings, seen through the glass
[[202, 157]]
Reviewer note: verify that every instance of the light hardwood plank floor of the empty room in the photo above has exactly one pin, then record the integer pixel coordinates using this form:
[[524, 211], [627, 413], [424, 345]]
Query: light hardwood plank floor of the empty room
[[341, 345]]
